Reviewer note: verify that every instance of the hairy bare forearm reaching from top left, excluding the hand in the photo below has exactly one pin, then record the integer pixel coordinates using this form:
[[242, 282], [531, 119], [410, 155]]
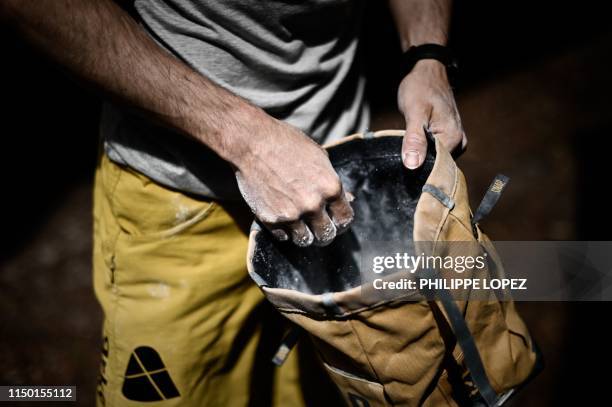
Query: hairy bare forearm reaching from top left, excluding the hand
[[103, 46]]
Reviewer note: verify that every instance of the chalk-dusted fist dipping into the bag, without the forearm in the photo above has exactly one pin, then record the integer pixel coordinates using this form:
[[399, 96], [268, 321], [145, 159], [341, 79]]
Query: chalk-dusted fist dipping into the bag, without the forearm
[[290, 185]]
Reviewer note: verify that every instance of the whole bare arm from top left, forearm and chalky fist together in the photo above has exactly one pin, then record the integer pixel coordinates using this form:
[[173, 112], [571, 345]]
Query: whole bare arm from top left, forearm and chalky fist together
[[285, 177]]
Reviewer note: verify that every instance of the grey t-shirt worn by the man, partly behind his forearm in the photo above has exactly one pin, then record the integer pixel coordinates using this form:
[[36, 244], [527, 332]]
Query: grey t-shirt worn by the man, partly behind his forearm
[[294, 59]]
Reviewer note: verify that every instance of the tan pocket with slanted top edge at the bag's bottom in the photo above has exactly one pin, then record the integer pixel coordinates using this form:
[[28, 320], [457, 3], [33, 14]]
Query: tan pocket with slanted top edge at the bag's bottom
[[357, 391]]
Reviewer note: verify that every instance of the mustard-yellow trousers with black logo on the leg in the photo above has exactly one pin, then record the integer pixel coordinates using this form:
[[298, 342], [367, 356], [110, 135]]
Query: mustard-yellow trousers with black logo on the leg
[[184, 325]]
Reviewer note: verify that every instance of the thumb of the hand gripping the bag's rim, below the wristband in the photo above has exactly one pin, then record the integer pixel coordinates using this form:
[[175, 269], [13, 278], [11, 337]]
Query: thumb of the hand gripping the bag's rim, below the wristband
[[414, 147]]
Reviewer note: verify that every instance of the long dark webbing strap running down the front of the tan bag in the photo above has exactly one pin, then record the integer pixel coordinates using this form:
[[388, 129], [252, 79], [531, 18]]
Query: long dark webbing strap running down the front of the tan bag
[[466, 342]]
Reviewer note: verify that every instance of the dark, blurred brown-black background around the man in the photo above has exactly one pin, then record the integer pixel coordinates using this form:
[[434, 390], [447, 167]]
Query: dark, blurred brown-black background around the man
[[533, 91]]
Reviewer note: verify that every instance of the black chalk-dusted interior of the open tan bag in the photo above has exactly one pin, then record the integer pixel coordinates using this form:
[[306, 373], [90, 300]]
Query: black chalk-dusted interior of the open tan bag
[[386, 194]]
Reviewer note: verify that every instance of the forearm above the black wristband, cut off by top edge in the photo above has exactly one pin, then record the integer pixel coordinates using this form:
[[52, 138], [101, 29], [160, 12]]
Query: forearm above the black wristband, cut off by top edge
[[421, 21]]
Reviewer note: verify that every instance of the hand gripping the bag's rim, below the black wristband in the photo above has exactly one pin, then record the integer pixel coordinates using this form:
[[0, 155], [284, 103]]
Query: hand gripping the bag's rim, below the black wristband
[[427, 102]]
